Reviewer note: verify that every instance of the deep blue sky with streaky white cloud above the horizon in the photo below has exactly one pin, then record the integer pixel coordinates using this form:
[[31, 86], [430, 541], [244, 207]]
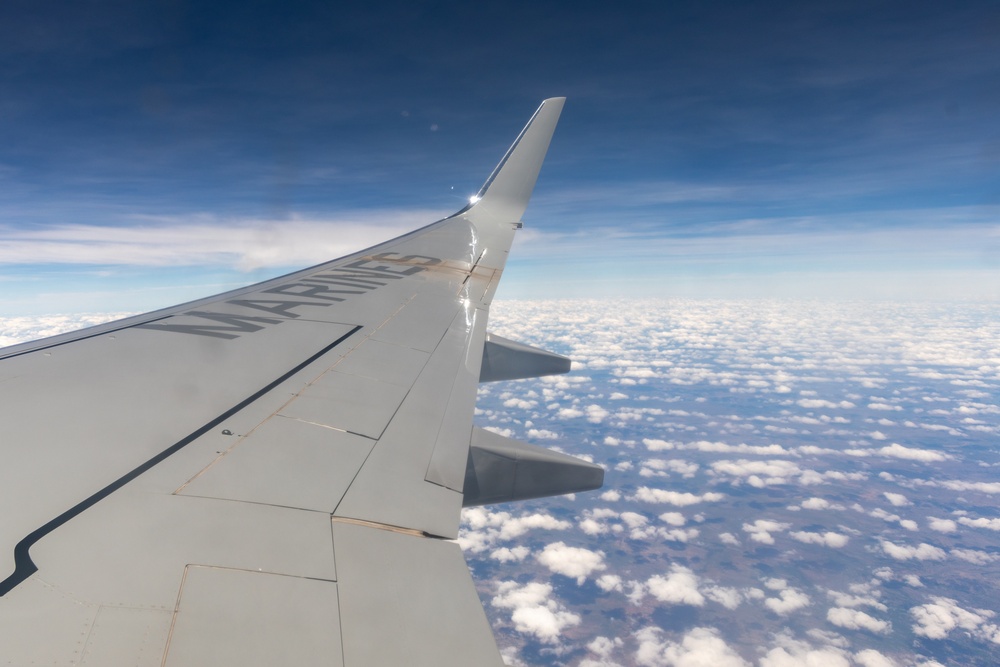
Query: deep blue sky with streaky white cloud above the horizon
[[154, 152]]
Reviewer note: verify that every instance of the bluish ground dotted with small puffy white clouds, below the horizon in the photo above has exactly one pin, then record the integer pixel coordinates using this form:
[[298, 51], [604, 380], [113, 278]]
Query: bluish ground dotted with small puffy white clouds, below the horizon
[[788, 483]]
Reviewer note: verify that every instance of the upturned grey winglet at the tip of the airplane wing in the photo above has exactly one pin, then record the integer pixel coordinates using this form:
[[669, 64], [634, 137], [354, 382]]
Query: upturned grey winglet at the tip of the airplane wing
[[505, 195]]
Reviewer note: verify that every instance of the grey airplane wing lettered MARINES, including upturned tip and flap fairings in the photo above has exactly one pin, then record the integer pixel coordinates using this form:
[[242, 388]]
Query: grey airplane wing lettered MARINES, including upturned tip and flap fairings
[[274, 475]]
